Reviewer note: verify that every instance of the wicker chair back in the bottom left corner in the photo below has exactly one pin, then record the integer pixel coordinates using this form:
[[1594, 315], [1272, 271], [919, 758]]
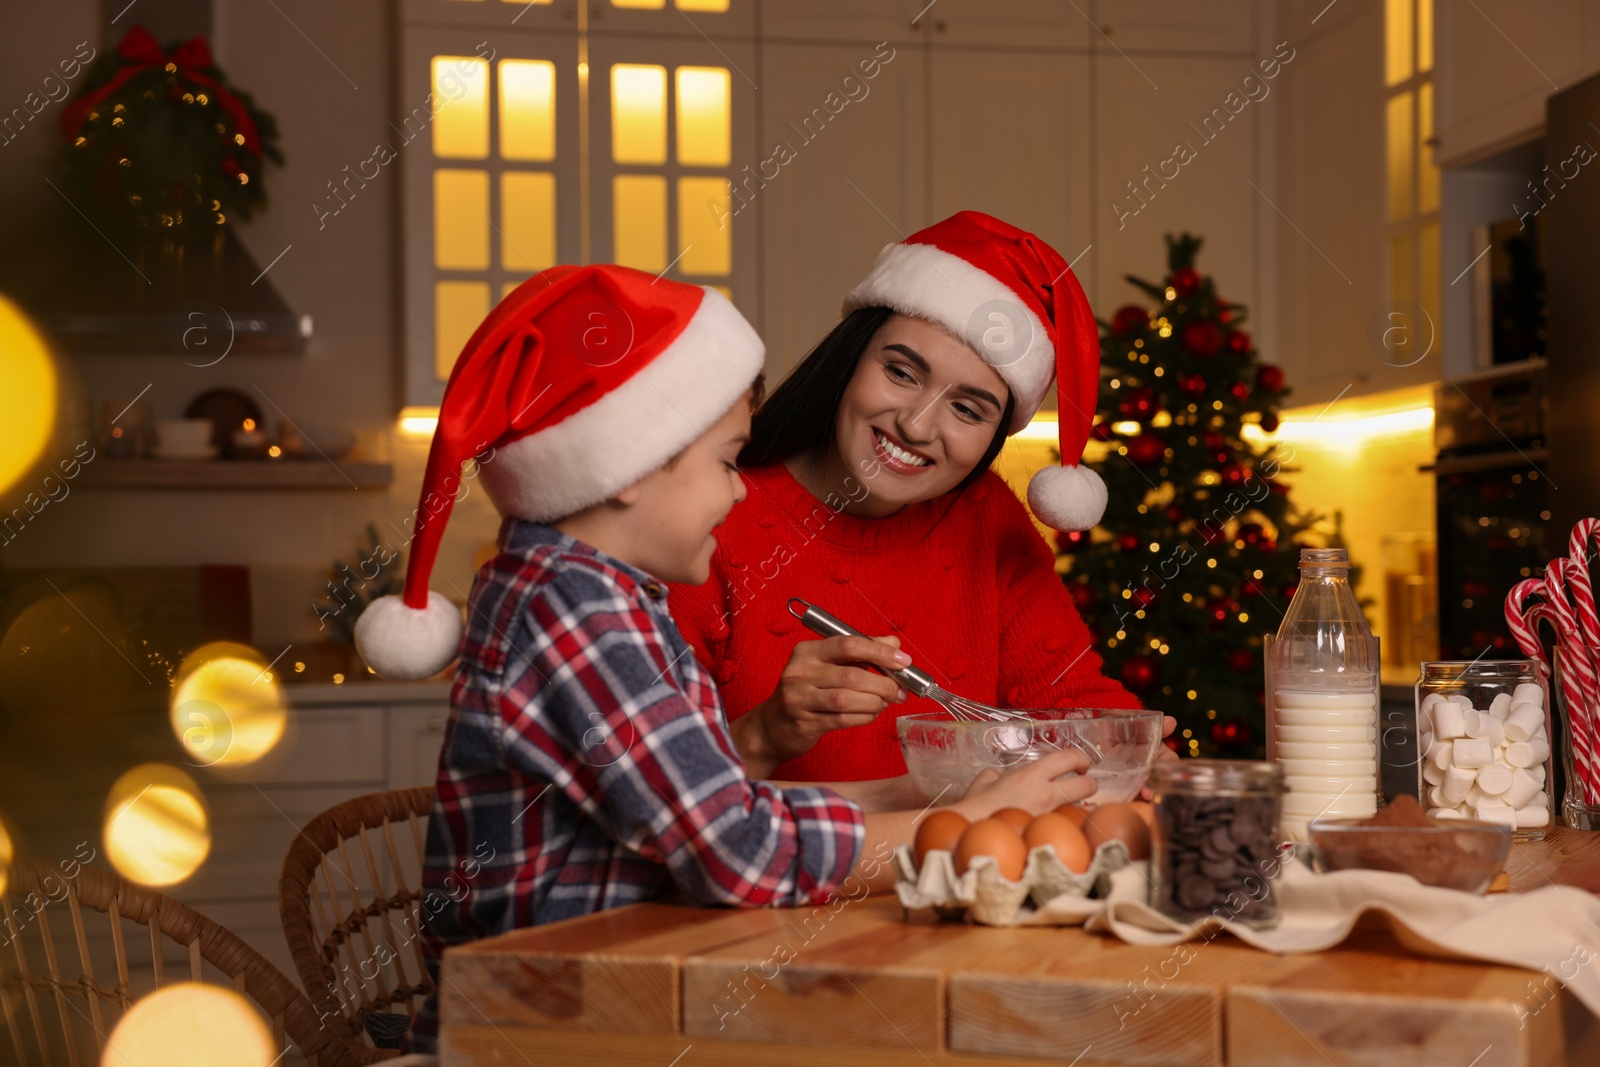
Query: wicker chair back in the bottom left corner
[[50, 1018]]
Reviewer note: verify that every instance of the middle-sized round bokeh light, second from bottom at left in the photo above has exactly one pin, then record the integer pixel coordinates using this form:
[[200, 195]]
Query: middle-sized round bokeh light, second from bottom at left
[[158, 831]]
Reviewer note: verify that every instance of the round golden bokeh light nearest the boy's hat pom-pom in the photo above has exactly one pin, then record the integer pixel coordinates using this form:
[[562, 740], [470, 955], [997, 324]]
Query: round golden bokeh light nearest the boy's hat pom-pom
[[226, 706]]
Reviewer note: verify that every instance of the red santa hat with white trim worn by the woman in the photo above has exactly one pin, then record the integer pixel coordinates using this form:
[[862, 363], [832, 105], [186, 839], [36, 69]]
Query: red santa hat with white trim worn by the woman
[[1017, 303]]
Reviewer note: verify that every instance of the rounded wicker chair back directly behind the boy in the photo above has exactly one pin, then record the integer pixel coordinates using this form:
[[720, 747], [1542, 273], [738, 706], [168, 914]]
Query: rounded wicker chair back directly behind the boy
[[351, 914]]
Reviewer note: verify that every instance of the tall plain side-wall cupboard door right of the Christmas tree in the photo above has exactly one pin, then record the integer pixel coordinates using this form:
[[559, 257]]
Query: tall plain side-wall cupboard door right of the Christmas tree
[[1329, 154]]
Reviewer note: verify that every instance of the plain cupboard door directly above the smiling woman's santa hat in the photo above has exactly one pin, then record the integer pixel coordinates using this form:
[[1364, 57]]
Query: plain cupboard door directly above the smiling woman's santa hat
[[1012, 137]]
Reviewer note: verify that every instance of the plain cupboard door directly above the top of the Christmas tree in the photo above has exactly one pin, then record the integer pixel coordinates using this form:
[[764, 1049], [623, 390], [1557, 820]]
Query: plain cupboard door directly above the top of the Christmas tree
[[1177, 159]]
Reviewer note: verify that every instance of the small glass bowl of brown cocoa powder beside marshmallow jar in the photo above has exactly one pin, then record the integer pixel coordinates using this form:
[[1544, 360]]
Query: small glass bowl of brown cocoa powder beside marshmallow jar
[[1450, 853]]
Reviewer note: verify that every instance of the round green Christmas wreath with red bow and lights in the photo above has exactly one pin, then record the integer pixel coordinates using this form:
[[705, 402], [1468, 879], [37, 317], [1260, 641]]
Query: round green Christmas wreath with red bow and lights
[[162, 143]]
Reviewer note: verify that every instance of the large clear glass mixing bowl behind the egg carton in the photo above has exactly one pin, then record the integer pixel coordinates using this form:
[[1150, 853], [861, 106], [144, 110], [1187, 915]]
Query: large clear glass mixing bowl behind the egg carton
[[946, 754]]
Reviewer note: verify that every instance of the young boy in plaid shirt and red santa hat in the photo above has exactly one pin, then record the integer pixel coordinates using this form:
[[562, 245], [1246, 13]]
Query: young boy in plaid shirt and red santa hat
[[588, 761]]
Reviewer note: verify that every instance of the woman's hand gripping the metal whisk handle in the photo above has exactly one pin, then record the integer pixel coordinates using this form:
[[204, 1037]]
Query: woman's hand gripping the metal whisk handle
[[826, 685]]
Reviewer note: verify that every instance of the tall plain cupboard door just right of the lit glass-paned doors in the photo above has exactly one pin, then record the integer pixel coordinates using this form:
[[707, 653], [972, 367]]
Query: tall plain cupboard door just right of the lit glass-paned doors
[[833, 188]]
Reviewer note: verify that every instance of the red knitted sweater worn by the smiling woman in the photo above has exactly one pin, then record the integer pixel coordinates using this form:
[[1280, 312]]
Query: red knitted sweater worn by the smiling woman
[[966, 583]]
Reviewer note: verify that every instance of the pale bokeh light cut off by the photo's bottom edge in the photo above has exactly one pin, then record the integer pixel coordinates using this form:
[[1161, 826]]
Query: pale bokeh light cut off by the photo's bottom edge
[[191, 1025]]
